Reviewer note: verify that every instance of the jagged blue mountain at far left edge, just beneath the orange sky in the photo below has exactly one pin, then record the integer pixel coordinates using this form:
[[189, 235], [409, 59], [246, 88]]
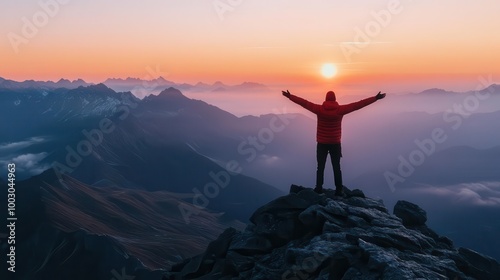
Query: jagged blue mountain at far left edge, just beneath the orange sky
[[39, 111]]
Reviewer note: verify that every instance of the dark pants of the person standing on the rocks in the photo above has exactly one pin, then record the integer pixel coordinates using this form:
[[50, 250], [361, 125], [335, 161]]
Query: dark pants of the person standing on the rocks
[[322, 151]]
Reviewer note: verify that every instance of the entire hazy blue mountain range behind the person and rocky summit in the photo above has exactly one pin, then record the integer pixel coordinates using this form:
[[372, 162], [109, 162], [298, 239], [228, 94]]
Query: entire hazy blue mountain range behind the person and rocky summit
[[112, 161]]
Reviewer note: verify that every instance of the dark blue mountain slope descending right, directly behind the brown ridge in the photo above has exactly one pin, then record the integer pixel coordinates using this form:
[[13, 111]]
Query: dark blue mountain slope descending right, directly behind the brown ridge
[[134, 156]]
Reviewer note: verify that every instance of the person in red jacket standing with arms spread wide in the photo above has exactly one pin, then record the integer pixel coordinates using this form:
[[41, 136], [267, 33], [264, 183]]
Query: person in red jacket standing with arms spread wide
[[329, 132]]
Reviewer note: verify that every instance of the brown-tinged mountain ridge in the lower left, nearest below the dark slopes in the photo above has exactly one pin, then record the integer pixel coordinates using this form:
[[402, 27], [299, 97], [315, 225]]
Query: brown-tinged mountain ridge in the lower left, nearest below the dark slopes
[[70, 230]]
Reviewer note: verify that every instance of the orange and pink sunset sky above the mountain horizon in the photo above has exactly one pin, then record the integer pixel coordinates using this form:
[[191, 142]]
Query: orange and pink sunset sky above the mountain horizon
[[446, 44]]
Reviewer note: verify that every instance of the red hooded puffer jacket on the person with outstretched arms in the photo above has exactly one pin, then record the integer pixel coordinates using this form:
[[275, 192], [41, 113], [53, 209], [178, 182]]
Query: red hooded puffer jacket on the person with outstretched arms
[[330, 113]]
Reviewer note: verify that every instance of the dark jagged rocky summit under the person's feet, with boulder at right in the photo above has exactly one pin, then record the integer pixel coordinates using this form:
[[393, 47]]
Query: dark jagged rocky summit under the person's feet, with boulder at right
[[308, 236]]
